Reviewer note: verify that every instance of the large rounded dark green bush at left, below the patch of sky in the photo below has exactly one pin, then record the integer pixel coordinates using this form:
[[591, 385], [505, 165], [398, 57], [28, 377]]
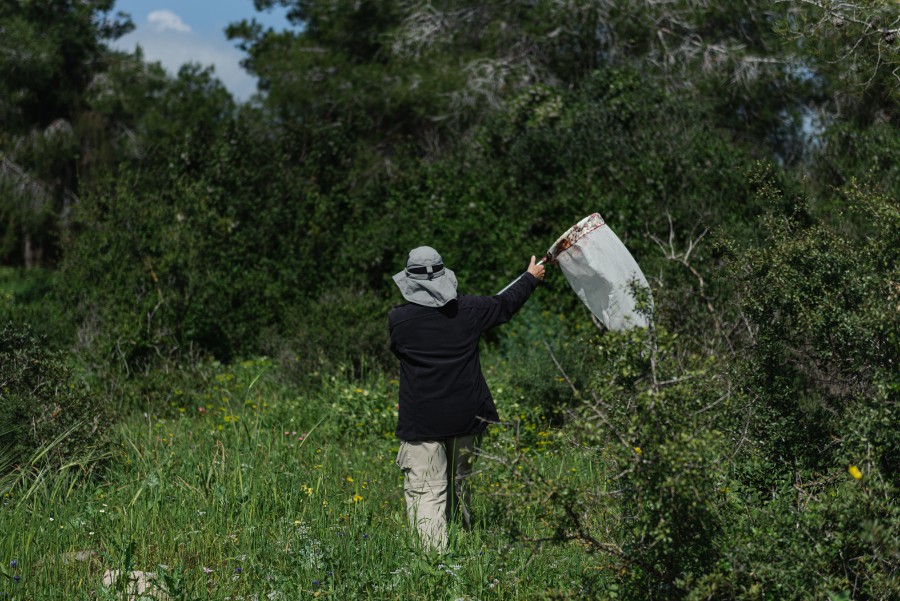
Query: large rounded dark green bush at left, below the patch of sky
[[202, 259]]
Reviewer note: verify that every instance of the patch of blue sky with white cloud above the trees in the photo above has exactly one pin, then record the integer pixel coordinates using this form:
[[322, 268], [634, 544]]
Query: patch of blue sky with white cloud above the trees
[[174, 32]]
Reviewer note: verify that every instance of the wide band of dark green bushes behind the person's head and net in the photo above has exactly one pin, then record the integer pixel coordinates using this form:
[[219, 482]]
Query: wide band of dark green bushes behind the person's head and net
[[251, 241]]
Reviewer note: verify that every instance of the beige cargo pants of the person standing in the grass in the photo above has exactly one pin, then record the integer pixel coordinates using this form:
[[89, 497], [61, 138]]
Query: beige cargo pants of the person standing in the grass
[[430, 468]]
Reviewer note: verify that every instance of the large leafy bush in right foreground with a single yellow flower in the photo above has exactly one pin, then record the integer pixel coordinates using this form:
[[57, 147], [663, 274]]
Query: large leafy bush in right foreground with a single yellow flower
[[758, 467]]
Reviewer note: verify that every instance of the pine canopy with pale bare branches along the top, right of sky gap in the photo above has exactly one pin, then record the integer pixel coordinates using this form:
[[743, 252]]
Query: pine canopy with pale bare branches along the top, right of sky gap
[[432, 70]]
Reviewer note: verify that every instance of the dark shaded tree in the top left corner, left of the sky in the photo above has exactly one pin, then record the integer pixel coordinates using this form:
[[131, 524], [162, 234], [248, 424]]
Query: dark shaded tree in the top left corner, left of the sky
[[53, 58]]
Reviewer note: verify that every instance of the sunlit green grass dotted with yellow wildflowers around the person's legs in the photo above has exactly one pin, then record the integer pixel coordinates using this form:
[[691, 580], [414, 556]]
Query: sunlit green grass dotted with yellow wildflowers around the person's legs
[[248, 489]]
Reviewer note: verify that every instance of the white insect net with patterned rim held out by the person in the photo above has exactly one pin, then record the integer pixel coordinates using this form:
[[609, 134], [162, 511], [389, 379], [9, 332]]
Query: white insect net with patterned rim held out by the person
[[603, 273]]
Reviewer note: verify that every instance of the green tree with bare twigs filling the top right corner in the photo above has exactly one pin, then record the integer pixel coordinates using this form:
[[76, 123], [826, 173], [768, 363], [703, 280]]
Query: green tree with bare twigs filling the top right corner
[[852, 48]]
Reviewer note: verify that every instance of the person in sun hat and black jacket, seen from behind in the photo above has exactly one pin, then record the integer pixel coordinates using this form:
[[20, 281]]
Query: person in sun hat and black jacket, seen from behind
[[445, 404]]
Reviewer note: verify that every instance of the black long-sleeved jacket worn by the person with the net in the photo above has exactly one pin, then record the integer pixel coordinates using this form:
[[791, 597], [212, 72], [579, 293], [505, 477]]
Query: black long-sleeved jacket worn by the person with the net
[[442, 389]]
